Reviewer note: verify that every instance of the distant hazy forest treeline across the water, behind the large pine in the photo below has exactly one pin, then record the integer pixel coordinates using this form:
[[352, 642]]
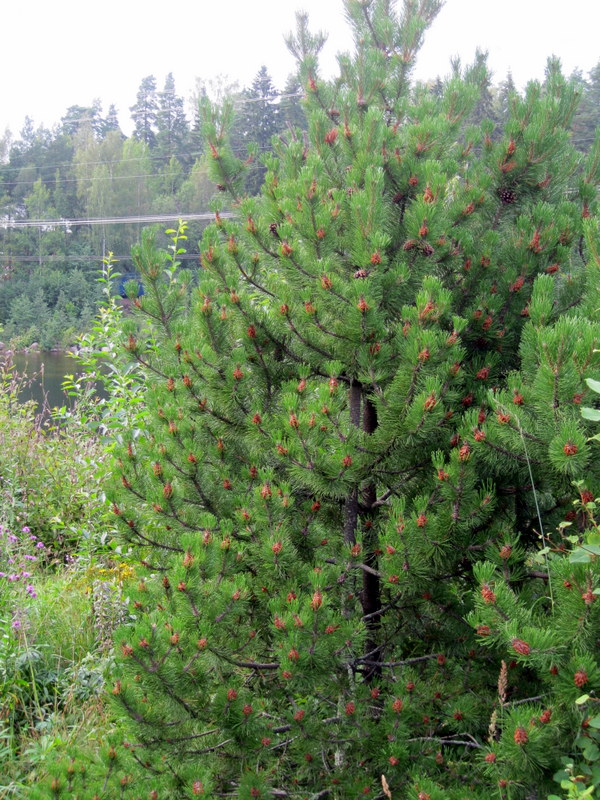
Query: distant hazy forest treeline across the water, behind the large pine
[[86, 168]]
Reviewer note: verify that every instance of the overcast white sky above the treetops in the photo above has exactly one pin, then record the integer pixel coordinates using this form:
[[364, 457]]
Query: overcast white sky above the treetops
[[68, 52]]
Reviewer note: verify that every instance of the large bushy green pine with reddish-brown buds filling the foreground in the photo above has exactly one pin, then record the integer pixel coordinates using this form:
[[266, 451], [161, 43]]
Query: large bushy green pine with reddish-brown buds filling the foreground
[[359, 422]]
